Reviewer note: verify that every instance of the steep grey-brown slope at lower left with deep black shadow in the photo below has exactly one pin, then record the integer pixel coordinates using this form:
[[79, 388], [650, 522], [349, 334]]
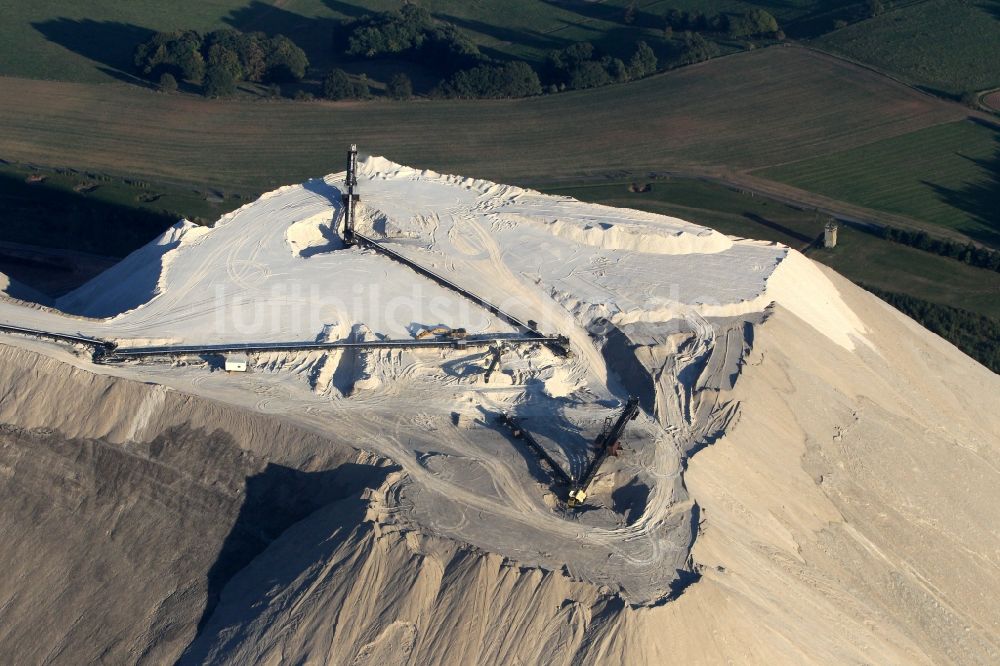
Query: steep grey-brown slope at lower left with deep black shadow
[[117, 542]]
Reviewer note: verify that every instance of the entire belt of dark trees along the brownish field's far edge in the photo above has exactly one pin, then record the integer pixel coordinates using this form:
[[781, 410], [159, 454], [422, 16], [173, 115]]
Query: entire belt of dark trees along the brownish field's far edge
[[220, 60]]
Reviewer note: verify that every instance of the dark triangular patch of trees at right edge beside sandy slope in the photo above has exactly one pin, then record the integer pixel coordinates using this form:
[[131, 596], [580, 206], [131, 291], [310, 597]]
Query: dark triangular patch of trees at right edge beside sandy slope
[[974, 334]]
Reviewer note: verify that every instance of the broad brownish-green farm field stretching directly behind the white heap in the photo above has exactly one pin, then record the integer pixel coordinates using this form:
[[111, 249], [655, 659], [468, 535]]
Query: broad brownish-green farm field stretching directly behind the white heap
[[779, 105]]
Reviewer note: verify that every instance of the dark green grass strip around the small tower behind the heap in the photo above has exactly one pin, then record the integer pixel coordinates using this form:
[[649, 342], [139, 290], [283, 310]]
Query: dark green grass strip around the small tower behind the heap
[[859, 256]]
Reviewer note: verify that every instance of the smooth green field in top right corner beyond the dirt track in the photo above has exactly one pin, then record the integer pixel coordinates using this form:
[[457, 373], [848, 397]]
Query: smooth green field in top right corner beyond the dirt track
[[947, 46]]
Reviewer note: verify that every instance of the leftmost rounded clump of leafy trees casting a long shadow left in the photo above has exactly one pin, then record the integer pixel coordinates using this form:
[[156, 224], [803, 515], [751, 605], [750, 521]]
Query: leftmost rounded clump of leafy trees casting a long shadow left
[[220, 59]]
